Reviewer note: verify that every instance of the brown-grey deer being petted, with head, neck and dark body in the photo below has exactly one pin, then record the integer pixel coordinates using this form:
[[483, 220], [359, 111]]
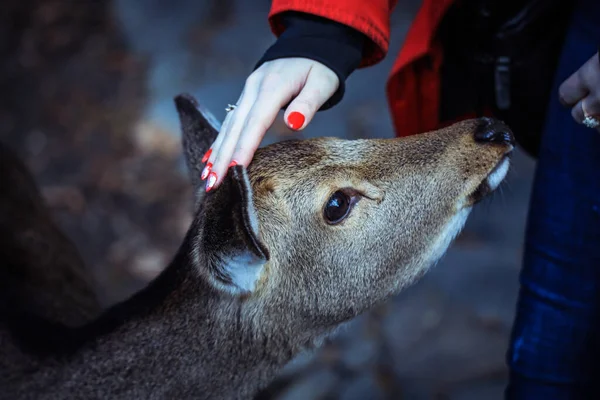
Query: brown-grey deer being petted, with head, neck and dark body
[[311, 234]]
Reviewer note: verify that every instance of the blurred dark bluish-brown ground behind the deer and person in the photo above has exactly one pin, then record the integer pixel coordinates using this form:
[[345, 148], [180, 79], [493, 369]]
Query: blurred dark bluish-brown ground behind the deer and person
[[86, 97]]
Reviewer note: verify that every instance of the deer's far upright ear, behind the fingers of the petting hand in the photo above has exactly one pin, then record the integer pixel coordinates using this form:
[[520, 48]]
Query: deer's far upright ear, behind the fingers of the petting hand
[[199, 129]]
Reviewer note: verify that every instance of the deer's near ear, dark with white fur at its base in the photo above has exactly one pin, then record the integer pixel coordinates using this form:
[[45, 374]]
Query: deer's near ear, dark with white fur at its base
[[231, 236]]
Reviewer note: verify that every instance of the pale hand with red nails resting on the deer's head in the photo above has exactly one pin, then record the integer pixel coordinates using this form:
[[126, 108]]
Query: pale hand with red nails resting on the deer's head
[[309, 83]]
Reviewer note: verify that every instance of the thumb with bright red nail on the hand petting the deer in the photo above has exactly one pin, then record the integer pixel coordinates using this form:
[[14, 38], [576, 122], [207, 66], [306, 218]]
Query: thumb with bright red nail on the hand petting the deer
[[319, 87]]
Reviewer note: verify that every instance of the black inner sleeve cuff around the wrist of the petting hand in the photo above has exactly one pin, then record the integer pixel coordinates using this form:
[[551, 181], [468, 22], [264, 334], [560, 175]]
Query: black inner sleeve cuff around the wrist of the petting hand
[[335, 45]]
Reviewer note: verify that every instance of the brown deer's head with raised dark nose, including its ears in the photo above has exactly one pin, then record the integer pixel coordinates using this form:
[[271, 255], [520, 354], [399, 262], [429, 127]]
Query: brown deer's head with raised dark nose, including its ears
[[322, 229]]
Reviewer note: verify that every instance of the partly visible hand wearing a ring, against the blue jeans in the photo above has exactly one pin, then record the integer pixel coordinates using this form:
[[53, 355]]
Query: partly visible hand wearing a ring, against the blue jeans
[[581, 91]]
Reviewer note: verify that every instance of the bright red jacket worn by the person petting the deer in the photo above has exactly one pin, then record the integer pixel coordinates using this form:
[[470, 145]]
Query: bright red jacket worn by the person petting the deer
[[413, 87]]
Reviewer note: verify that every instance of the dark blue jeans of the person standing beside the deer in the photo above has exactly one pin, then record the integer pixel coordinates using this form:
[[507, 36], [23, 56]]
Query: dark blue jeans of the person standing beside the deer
[[553, 351]]
